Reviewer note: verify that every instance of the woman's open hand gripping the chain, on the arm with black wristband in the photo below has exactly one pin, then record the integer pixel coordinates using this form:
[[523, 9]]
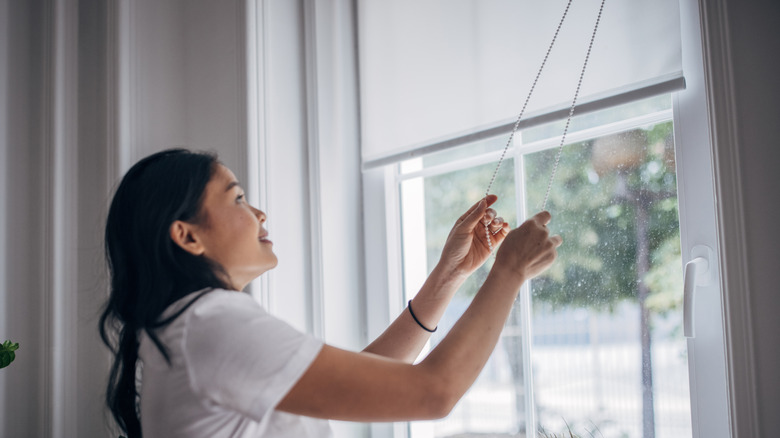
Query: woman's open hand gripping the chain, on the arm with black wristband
[[467, 248]]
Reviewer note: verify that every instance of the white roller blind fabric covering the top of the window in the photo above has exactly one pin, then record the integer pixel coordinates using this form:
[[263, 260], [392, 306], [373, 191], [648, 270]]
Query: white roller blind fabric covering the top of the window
[[432, 68]]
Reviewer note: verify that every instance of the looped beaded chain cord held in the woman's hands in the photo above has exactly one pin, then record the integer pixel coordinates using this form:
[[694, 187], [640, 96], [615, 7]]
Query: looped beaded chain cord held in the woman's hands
[[525, 104]]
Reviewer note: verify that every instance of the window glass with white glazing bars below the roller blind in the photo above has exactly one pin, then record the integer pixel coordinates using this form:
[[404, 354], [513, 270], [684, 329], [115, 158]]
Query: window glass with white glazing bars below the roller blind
[[596, 343]]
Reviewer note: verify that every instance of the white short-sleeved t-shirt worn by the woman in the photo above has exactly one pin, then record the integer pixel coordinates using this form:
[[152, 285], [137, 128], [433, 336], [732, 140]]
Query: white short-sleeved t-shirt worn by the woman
[[231, 364]]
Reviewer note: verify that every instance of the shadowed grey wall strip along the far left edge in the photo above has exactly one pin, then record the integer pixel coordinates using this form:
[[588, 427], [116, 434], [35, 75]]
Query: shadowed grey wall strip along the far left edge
[[22, 388]]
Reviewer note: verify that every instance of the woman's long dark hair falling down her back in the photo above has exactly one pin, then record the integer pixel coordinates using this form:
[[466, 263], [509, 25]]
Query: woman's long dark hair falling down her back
[[148, 270]]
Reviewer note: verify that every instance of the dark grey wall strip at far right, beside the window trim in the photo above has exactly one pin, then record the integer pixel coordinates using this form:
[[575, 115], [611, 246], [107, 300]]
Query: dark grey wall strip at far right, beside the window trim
[[755, 44]]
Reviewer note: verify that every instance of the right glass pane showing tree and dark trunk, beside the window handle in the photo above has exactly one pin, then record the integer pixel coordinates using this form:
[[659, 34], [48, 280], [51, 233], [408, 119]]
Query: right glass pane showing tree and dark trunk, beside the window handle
[[608, 354]]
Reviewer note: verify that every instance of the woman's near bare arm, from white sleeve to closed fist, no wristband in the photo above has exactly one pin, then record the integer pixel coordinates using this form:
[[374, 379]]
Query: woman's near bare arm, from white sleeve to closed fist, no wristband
[[366, 387]]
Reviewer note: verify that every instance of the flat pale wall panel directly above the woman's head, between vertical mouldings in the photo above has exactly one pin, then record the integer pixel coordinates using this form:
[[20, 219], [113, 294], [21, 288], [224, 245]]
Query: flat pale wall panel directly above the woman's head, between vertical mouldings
[[184, 76]]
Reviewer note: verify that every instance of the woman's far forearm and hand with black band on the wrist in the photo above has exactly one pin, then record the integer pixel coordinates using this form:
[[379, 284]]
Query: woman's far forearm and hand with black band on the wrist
[[466, 250]]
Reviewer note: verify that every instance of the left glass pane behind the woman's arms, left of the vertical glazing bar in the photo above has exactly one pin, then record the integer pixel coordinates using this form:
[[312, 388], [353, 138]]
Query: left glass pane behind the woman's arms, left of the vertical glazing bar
[[495, 403]]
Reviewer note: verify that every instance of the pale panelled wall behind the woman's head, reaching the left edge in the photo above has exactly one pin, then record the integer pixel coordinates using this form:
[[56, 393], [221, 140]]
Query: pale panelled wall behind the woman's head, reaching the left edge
[[89, 87]]
